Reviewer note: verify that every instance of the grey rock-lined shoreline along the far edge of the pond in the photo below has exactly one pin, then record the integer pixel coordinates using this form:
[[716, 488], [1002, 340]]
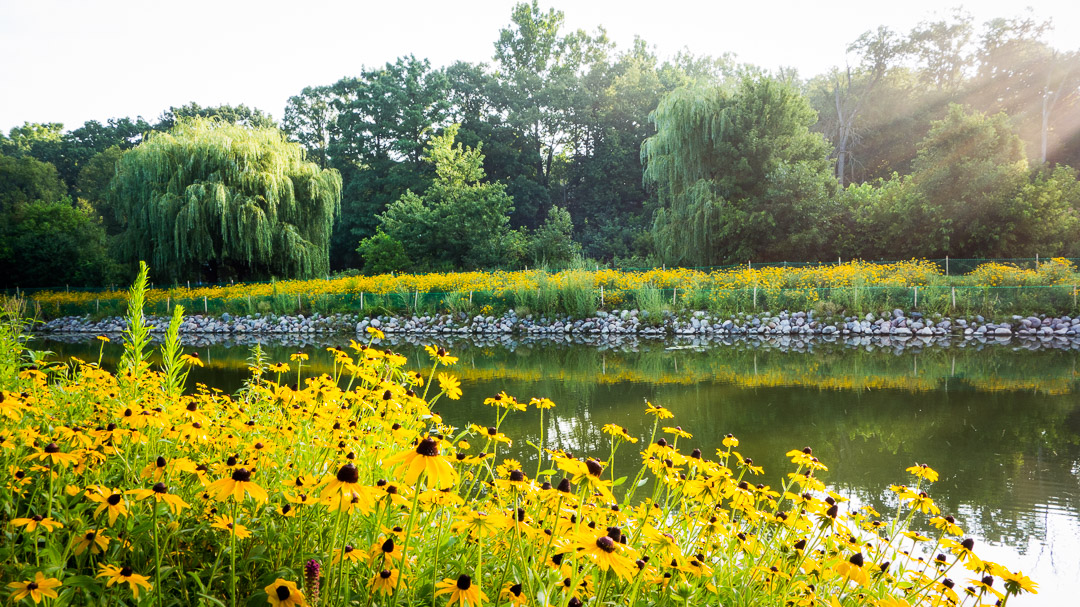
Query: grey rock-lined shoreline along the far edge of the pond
[[898, 330]]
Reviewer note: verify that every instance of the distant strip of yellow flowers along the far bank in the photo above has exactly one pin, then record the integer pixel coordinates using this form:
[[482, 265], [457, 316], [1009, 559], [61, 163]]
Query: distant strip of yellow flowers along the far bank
[[617, 284]]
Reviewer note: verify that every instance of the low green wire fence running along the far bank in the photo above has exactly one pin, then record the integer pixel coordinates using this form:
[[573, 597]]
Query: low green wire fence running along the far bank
[[991, 302]]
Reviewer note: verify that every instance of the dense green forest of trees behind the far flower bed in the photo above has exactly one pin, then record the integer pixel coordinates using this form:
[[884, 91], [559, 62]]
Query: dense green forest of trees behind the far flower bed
[[954, 139]]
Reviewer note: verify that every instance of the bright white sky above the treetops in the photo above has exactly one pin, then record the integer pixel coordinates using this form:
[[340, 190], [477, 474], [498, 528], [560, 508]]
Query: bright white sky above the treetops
[[73, 61]]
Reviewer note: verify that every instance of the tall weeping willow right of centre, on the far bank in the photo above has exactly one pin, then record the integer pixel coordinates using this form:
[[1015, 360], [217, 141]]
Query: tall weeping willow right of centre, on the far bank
[[738, 174]]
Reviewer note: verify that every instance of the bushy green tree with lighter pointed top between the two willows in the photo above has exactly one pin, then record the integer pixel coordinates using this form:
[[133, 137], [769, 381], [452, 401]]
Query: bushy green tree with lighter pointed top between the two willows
[[461, 221]]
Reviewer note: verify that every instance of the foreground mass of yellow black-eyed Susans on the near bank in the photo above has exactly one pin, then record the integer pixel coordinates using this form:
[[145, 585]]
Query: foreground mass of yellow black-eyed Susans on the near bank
[[348, 488]]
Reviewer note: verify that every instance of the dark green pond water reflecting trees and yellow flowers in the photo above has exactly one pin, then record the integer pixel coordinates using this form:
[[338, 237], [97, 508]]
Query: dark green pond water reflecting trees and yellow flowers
[[1000, 422]]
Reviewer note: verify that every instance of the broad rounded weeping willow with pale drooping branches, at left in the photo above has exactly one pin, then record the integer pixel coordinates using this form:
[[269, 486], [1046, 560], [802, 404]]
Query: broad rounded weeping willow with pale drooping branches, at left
[[217, 201]]
